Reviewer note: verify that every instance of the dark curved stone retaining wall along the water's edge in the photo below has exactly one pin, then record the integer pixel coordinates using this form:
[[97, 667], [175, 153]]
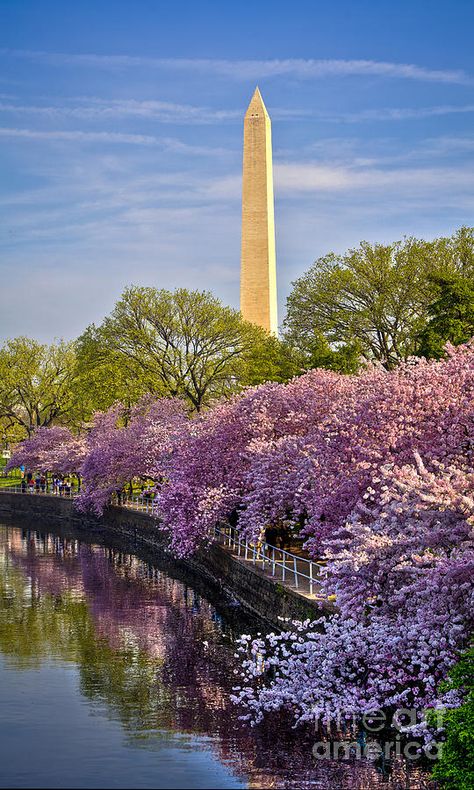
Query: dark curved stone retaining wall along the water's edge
[[245, 584]]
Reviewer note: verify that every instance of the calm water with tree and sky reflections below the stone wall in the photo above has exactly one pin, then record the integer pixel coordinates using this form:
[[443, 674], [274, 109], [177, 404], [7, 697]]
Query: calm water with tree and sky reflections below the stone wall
[[115, 674]]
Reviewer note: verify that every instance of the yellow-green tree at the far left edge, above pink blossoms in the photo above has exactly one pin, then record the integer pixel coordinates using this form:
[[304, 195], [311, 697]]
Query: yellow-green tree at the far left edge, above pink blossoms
[[35, 385]]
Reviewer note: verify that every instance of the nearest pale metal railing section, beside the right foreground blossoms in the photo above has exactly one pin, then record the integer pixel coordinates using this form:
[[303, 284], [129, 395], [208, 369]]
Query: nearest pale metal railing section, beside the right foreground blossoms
[[300, 572]]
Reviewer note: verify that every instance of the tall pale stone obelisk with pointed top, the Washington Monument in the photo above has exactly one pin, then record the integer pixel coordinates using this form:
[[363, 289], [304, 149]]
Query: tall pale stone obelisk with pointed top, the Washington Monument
[[258, 296]]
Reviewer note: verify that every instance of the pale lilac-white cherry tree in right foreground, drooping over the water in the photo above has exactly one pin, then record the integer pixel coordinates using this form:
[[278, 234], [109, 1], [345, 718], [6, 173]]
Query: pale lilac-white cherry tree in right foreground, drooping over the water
[[402, 571]]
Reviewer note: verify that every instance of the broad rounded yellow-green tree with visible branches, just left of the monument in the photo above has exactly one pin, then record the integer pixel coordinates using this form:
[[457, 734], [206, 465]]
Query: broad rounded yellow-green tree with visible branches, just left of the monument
[[184, 344]]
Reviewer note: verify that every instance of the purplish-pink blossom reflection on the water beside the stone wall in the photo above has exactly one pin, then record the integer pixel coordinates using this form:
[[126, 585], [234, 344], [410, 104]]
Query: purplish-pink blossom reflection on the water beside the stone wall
[[183, 648]]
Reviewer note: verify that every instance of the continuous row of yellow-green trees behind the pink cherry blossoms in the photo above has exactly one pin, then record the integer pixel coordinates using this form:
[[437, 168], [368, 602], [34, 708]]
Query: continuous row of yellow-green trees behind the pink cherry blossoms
[[376, 303]]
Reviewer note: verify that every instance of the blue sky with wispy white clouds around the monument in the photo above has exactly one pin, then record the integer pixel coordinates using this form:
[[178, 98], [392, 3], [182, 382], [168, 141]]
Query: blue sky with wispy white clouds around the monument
[[121, 135]]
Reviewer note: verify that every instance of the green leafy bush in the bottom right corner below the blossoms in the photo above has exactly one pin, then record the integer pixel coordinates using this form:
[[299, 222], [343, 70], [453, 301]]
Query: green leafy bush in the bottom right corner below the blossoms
[[455, 768]]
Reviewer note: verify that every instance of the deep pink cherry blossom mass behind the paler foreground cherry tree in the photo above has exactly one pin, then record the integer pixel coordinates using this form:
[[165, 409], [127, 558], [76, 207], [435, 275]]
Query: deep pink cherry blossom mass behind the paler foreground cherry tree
[[309, 449]]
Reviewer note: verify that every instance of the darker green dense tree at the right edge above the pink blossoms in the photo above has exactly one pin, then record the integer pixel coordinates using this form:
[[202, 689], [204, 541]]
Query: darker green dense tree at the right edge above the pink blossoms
[[451, 316]]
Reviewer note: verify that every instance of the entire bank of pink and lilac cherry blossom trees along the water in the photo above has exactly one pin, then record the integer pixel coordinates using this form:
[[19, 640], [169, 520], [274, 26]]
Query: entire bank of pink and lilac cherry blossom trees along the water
[[377, 467]]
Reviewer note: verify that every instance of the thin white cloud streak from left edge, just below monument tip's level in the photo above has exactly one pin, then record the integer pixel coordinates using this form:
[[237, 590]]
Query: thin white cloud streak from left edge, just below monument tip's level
[[78, 136]]
